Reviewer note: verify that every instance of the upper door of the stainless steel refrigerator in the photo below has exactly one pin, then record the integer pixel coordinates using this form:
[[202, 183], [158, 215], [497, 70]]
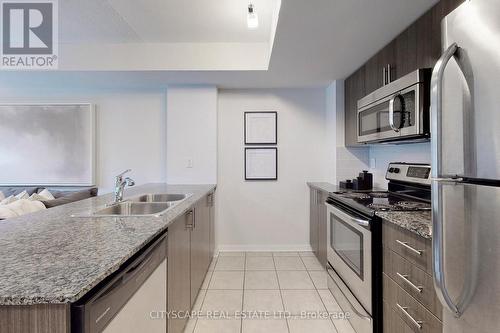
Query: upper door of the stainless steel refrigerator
[[470, 102]]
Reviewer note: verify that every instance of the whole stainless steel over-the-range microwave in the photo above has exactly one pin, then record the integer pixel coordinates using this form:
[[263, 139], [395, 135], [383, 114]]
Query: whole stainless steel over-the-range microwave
[[397, 111]]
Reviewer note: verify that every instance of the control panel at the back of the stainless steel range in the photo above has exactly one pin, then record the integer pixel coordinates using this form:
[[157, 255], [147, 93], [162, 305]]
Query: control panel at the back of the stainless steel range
[[411, 173]]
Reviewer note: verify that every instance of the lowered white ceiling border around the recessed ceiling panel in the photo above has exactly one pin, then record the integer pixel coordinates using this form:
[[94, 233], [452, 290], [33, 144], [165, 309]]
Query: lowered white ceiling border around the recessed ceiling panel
[[316, 42]]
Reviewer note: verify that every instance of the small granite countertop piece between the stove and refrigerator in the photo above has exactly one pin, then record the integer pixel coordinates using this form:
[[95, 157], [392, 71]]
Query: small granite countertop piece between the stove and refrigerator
[[419, 222]]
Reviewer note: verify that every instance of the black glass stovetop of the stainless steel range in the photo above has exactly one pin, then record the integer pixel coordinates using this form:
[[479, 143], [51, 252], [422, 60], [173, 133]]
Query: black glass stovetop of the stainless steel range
[[371, 202]]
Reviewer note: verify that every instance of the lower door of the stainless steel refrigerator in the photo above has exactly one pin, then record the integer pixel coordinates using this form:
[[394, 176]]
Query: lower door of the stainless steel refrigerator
[[469, 263]]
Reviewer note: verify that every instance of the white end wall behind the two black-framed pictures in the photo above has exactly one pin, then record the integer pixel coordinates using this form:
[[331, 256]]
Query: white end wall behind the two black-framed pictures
[[270, 215]]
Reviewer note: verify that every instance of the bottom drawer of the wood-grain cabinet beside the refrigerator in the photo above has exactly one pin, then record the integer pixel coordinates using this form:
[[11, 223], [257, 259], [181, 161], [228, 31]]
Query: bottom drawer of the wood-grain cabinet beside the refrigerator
[[407, 309]]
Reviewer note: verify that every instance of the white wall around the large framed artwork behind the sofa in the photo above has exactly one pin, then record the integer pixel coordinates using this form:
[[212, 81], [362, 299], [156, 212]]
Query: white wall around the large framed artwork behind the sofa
[[130, 128]]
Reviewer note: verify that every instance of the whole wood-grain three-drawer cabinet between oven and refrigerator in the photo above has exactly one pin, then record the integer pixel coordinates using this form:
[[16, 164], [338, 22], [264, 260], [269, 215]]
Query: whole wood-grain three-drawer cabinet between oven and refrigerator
[[408, 291]]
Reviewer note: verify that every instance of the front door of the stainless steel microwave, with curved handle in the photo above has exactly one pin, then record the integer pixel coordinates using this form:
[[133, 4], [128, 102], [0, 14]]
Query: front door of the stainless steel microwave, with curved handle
[[374, 121]]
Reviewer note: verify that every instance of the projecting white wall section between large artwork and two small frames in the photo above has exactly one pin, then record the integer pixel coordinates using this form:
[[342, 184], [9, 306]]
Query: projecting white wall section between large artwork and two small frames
[[192, 135]]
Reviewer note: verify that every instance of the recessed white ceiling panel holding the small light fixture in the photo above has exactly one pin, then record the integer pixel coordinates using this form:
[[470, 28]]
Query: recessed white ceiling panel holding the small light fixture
[[162, 21]]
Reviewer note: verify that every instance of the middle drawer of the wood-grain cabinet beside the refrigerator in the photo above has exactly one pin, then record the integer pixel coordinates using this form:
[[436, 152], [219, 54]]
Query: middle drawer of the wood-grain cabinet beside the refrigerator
[[413, 280]]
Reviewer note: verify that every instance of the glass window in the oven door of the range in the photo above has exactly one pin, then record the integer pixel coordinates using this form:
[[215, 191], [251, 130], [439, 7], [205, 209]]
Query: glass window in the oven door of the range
[[348, 242]]
